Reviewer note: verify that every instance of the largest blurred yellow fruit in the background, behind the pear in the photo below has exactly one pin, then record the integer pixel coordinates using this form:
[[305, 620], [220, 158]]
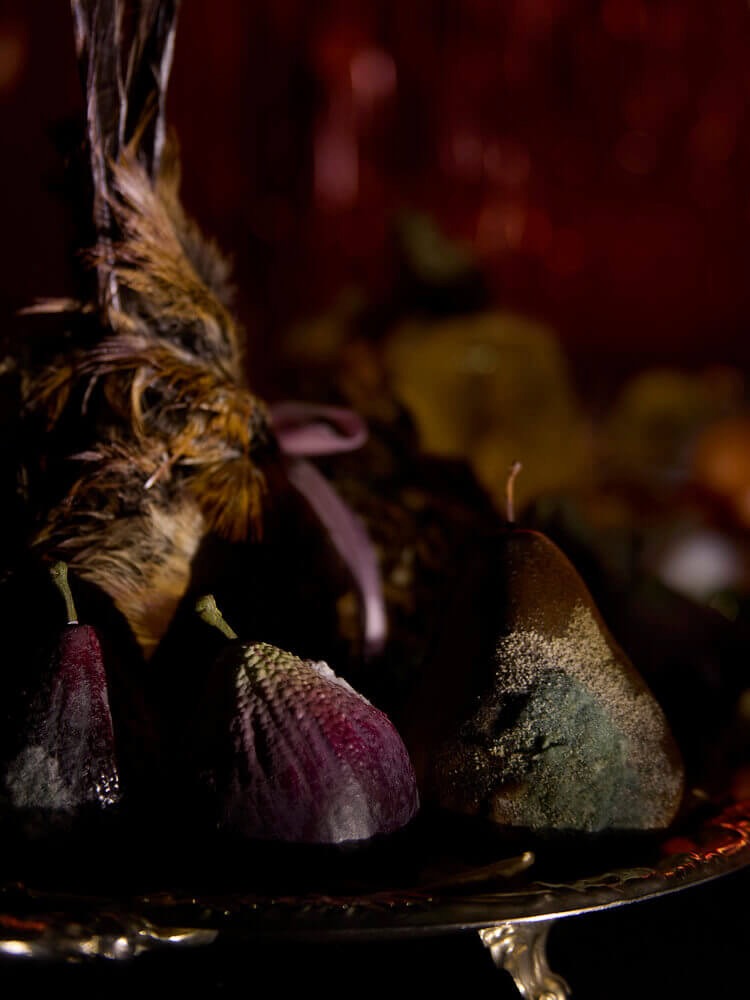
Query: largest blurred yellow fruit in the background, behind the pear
[[493, 387]]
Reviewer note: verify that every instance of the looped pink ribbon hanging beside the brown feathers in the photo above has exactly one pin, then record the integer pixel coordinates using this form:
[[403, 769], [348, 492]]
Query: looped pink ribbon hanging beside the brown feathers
[[307, 430]]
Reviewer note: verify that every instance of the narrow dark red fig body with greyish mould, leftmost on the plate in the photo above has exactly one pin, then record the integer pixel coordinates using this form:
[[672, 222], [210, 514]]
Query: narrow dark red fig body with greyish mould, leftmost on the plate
[[68, 755]]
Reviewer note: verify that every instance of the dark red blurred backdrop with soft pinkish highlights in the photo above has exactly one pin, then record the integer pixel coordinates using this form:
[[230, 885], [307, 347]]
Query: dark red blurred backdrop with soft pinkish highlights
[[596, 156]]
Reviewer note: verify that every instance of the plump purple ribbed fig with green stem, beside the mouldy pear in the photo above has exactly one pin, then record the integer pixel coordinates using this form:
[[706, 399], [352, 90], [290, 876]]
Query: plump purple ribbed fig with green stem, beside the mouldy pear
[[301, 756]]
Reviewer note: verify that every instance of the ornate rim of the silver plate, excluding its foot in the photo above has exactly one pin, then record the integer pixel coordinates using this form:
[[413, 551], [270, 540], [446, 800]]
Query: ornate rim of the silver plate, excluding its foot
[[46, 924]]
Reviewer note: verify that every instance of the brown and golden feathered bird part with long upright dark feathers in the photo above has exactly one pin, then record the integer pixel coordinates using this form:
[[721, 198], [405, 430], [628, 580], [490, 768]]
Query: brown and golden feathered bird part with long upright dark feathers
[[152, 410]]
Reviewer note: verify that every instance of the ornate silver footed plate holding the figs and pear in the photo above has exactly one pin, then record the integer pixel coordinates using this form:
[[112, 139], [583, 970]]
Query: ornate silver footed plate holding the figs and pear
[[510, 910]]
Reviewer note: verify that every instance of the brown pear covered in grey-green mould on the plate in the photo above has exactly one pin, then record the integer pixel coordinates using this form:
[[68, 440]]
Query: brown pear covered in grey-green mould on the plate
[[550, 728]]
